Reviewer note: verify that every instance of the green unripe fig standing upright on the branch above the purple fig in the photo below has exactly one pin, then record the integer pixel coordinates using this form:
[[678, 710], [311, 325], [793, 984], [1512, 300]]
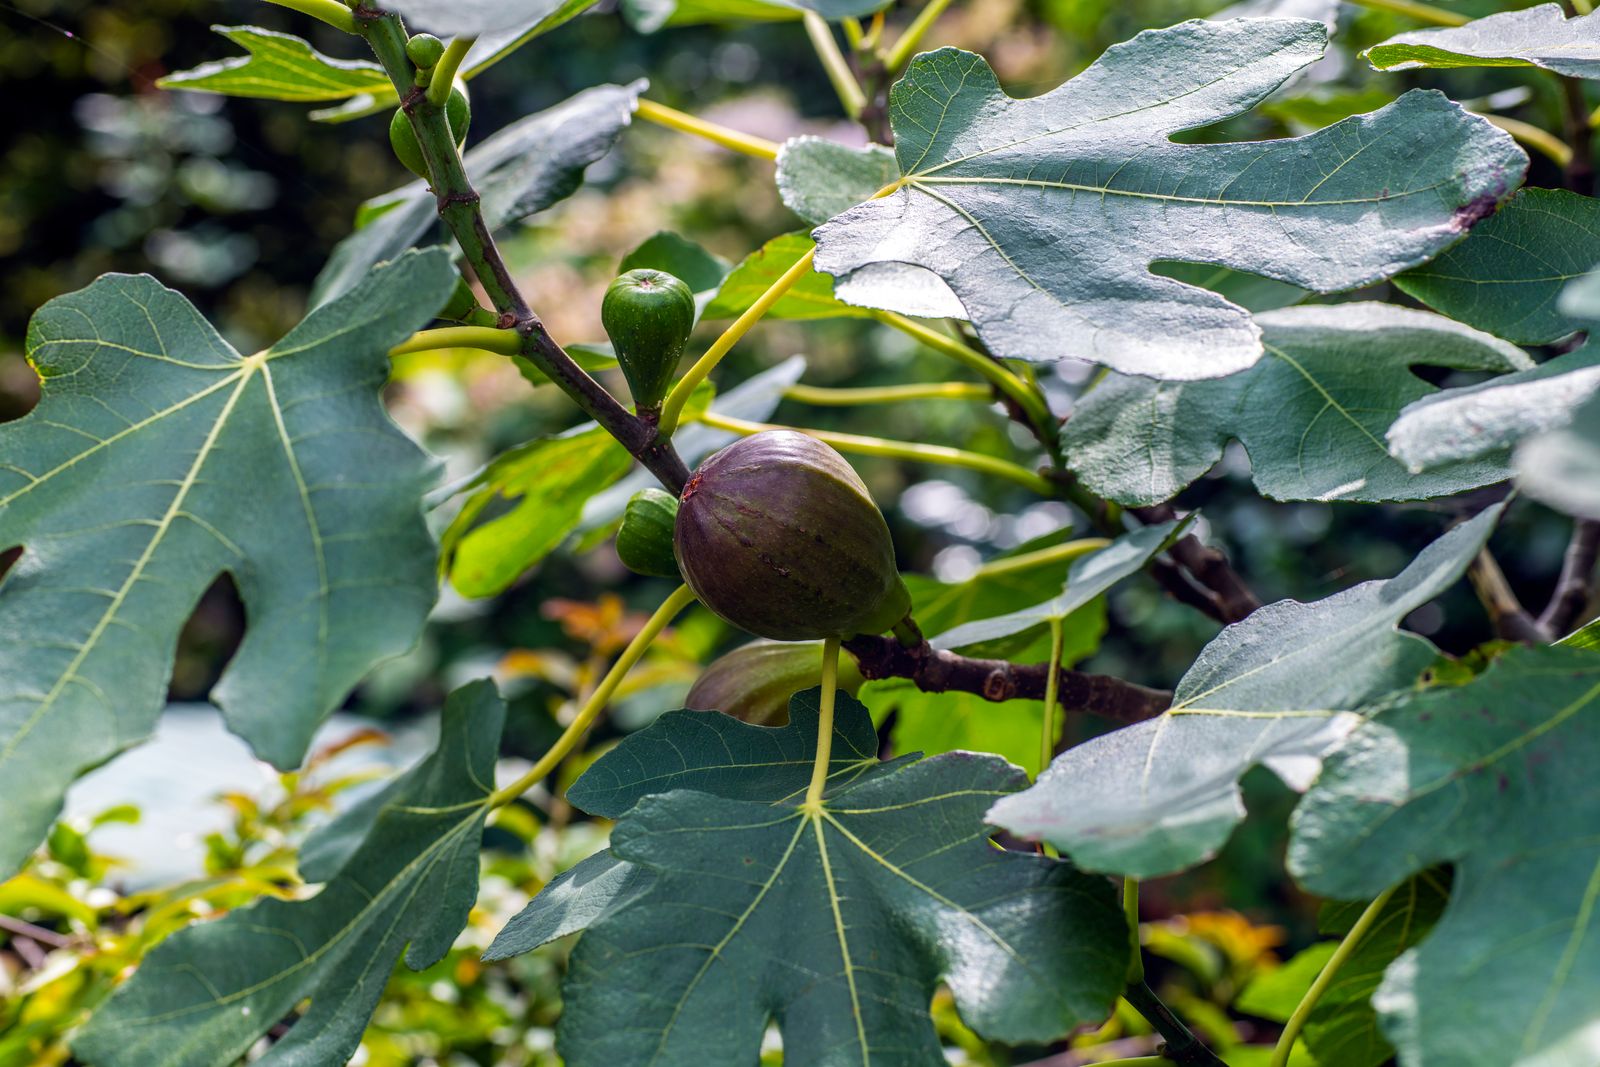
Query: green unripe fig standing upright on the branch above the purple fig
[[649, 316]]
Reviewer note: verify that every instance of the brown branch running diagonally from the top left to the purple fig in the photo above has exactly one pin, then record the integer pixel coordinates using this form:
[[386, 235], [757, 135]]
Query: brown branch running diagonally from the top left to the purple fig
[[462, 210]]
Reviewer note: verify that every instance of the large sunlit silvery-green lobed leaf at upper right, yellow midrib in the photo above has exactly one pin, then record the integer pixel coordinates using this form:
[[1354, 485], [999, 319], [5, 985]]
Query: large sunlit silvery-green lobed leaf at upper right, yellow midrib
[[1044, 215]]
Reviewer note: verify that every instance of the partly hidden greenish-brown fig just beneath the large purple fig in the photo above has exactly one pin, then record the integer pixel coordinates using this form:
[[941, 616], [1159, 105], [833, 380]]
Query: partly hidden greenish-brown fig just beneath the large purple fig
[[754, 682]]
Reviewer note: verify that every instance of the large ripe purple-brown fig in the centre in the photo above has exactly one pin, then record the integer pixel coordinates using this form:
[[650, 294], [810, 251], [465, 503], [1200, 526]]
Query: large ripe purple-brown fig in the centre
[[778, 535]]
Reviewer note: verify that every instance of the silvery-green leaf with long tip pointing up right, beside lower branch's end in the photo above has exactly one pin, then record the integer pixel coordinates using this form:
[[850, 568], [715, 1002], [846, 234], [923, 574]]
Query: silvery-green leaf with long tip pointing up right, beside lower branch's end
[[1274, 690]]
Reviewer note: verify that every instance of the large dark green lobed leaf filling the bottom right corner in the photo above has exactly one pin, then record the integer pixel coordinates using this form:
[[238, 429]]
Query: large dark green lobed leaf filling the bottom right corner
[[1495, 778]]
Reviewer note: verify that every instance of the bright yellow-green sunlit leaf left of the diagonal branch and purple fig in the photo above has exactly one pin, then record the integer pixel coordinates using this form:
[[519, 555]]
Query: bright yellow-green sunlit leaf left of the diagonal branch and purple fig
[[545, 487]]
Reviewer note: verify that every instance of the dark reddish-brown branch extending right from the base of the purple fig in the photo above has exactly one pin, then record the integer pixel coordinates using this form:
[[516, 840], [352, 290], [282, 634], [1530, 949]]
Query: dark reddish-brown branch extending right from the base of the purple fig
[[938, 671]]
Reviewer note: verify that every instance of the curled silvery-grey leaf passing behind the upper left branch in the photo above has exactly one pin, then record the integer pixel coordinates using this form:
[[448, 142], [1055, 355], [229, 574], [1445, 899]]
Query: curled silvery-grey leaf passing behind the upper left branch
[[521, 170]]
